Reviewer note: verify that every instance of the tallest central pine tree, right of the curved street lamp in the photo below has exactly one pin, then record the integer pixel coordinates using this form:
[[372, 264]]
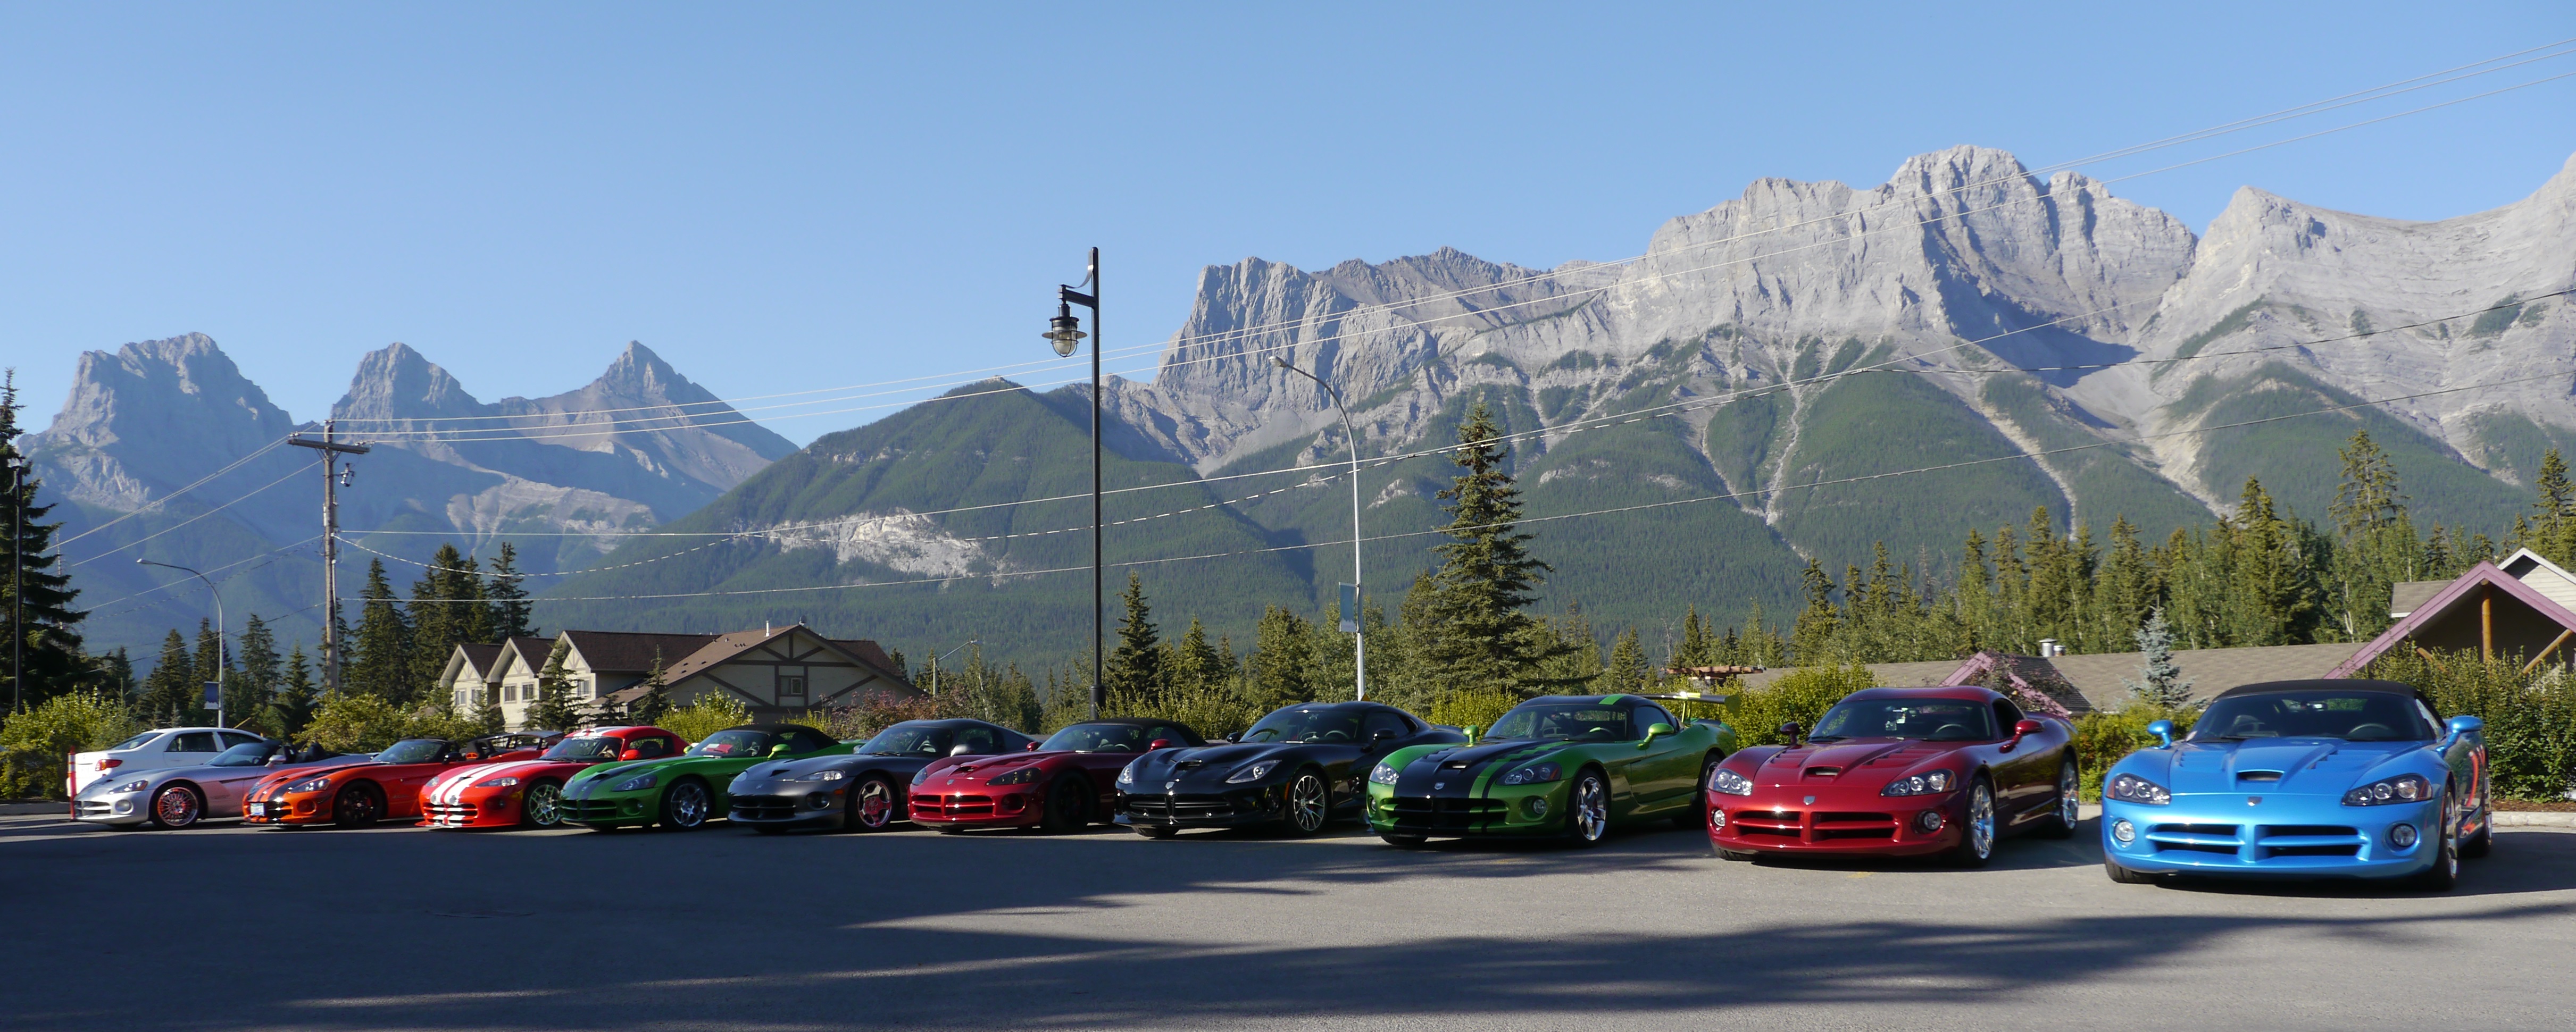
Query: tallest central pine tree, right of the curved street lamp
[[1480, 637]]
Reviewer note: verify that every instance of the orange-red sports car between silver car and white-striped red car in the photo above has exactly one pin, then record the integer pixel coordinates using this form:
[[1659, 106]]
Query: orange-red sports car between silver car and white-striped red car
[[385, 789]]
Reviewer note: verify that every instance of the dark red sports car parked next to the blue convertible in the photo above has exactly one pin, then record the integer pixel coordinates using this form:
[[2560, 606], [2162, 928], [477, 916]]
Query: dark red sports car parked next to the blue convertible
[[1897, 773]]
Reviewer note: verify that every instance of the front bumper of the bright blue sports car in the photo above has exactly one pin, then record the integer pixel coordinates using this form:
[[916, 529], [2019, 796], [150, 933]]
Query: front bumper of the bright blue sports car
[[2271, 838]]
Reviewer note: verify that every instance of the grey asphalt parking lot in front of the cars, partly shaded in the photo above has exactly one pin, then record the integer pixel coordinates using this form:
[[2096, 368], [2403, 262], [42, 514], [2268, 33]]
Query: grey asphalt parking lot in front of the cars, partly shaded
[[228, 928]]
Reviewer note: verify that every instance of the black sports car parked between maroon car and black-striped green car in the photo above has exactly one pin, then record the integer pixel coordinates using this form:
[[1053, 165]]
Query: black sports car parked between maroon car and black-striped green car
[[1302, 768]]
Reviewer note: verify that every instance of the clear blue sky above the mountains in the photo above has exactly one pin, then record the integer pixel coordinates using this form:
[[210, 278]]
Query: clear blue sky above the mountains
[[797, 197]]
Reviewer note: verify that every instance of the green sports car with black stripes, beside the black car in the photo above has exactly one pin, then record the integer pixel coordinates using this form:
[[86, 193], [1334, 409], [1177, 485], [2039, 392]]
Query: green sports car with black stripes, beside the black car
[[1557, 766]]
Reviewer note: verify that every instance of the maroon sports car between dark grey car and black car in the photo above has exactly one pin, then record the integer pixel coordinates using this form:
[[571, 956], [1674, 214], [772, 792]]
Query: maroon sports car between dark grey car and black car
[[1065, 784]]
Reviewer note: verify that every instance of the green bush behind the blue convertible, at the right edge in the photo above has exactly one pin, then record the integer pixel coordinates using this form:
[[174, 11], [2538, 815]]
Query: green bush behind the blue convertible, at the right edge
[[2531, 719]]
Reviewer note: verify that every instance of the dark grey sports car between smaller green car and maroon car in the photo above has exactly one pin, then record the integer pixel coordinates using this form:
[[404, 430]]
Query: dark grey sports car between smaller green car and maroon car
[[862, 791]]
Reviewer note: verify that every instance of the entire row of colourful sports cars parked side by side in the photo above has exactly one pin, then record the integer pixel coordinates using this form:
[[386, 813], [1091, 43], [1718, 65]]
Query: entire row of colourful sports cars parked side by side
[[2291, 779]]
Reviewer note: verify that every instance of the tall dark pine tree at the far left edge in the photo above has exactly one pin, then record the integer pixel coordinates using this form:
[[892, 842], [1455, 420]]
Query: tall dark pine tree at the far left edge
[[50, 634]]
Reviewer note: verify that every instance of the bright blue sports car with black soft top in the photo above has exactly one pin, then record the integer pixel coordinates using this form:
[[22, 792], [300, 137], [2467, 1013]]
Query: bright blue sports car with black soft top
[[2333, 779]]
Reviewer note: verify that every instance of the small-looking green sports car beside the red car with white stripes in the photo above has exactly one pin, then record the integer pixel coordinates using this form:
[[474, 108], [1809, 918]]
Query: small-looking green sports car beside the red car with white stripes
[[689, 789]]
